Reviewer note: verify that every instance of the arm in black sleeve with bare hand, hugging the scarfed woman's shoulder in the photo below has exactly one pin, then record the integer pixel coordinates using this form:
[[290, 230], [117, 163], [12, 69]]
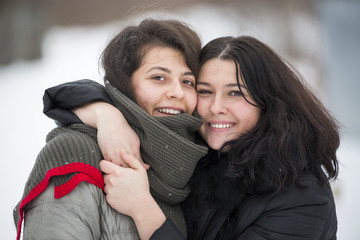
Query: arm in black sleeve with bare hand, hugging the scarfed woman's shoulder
[[87, 101]]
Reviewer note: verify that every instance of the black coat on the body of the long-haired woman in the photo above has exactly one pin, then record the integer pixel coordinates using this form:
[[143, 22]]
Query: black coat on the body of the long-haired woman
[[216, 209]]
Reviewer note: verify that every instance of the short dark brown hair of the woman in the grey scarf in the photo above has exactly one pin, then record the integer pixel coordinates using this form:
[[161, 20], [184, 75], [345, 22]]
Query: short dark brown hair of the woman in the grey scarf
[[123, 55]]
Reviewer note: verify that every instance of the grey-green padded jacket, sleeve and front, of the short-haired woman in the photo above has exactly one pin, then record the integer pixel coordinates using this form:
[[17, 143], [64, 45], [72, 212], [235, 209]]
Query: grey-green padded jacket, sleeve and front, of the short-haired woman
[[85, 207]]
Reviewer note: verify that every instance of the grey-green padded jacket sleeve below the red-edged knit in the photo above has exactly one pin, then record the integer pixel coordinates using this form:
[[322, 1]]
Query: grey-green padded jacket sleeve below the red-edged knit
[[69, 217]]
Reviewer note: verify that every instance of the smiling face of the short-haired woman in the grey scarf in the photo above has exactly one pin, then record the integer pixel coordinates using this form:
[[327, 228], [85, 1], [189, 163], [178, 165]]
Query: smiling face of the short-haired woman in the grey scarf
[[164, 85]]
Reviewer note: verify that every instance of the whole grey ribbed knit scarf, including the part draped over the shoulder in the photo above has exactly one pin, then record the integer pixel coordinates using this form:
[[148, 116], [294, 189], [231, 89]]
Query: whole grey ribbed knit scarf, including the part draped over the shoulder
[[167, 144]]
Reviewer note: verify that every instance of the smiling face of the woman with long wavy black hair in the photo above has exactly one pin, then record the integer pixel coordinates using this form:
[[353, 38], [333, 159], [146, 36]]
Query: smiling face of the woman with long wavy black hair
[[225, 112]]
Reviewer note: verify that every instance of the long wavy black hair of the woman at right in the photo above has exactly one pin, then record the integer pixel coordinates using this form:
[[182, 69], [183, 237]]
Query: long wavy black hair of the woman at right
[[295, 134]]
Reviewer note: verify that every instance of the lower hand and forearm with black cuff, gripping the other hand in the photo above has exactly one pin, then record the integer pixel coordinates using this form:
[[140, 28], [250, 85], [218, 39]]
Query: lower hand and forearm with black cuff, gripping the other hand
[[127, 191]]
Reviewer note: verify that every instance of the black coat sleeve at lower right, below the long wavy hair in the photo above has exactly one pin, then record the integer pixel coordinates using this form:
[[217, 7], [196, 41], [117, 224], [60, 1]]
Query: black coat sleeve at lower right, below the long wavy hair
[[299, 214]]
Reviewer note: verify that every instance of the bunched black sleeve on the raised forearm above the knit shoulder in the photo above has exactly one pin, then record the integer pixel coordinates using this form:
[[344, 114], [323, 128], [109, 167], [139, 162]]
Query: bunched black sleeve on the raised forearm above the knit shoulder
[[59, 100]]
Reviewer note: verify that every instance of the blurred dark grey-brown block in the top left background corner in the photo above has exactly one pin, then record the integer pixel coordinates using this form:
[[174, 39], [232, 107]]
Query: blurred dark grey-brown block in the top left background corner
[[22, 27]]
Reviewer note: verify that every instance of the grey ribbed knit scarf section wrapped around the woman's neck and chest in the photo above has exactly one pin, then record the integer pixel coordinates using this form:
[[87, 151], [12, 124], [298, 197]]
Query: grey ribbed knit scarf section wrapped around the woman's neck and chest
[[167, 144]]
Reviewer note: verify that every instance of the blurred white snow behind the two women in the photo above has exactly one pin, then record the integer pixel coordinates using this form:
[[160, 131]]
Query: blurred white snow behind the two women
[[73, 53]]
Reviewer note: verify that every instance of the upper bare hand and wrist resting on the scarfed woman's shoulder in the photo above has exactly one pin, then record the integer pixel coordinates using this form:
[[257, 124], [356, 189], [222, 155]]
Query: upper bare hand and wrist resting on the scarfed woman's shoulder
[[114, 133]]
